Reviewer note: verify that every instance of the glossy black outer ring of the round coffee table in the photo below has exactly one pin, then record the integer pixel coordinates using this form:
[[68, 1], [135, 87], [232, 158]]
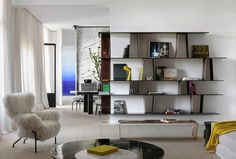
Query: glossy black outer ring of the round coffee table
[[143, 150]]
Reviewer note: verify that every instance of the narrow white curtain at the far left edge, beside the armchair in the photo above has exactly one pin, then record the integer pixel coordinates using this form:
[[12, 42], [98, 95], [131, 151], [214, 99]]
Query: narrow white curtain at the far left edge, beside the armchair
[[5, 55]]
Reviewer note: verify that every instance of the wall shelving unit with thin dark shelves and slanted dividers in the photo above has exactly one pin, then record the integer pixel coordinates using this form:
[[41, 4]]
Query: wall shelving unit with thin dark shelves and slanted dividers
[[176, 94]]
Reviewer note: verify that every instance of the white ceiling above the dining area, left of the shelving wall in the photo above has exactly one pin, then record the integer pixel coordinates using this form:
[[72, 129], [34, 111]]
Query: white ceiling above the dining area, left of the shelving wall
[[63, 14]]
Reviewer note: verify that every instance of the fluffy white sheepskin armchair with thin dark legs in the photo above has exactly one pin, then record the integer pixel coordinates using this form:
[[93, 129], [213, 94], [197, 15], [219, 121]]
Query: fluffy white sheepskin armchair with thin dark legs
[[35, 125]]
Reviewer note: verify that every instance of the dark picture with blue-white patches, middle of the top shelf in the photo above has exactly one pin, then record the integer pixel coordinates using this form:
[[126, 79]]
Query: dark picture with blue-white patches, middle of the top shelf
[[159, 49]]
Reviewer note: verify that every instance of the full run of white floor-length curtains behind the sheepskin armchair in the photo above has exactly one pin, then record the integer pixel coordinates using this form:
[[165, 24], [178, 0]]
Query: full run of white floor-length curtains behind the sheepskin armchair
[[21, 57]]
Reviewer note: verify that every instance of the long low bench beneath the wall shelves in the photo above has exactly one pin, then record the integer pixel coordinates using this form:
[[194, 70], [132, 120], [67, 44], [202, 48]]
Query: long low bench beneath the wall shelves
[[157, 128]]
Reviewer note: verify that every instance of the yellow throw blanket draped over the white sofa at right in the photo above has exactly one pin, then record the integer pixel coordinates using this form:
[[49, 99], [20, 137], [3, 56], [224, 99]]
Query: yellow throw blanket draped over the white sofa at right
[[220, 128]]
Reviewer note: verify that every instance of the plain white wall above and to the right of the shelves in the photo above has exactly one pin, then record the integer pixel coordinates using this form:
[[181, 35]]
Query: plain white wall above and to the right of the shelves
[[215, 16]]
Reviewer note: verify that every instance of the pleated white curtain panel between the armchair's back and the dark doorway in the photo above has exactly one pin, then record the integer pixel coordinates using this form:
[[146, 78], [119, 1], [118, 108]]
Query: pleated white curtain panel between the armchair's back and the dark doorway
[[29, 44]]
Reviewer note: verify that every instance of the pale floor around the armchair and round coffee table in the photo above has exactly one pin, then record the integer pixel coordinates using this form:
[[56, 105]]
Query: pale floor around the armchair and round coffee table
[[80, 126]]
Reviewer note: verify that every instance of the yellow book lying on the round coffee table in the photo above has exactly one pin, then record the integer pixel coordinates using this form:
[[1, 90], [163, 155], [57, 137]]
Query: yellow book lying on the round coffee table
[[102, 150]]
